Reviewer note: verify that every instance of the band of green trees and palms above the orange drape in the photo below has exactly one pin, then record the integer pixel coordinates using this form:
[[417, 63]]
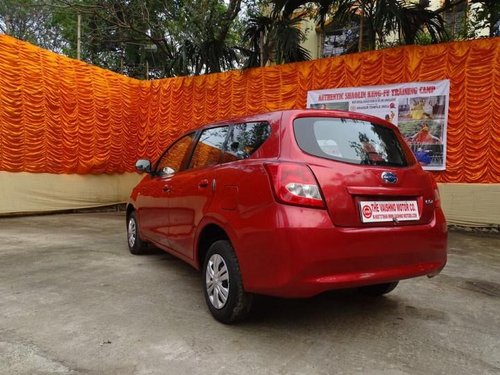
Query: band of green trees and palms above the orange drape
[[157, 38]]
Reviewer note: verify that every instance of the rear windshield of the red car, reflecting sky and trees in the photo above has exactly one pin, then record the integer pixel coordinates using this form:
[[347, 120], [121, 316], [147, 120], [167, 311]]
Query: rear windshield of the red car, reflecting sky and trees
[[348, 140]]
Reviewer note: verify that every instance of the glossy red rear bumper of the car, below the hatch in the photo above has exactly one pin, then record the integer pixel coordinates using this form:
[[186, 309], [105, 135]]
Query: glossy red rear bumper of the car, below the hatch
[[309, 256]]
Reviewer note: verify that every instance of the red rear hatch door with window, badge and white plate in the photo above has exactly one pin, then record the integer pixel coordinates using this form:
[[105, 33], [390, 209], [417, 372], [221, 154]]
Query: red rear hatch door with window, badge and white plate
[[367, 174]]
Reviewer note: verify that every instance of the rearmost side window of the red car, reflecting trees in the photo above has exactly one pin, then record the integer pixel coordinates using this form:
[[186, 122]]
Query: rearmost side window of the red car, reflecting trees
[[245, 139]]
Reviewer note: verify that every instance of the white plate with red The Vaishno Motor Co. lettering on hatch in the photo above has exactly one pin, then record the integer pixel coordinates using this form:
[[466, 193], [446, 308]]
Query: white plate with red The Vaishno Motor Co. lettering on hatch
[[386, 211]]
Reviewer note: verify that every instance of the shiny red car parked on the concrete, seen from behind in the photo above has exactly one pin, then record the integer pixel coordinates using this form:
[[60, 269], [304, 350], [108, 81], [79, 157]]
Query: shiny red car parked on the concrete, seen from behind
[[290, 204]]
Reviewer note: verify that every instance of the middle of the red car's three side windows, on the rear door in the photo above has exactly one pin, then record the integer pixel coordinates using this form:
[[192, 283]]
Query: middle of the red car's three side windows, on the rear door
[[208, 150]]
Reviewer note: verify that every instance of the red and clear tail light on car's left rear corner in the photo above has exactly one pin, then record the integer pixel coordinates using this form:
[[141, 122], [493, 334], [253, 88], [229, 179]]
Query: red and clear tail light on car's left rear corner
[[295, 184]]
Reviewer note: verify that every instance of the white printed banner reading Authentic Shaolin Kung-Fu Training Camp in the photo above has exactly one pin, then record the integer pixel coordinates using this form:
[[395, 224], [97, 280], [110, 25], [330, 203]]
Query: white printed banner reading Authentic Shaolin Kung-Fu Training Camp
[[418, 109]]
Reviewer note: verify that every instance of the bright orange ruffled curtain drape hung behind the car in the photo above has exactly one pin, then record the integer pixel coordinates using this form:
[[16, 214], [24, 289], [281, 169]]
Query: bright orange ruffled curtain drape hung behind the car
[[59, 115]]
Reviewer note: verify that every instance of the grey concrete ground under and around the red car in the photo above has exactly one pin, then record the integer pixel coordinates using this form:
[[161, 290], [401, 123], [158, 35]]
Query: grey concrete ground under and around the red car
[[74, 301]]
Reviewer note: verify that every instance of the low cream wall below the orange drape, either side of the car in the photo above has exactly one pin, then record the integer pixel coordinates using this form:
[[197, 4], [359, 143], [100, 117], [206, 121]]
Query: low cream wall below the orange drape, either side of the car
[[463, 204]]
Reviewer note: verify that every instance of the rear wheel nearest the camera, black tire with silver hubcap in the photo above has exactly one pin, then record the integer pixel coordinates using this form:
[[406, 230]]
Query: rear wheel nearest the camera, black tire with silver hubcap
[[222, 285]]
